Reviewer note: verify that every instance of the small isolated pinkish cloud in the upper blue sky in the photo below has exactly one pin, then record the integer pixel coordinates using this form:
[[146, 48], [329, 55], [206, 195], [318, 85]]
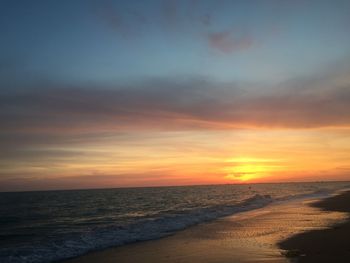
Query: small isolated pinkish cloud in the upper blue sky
[[227, 42]]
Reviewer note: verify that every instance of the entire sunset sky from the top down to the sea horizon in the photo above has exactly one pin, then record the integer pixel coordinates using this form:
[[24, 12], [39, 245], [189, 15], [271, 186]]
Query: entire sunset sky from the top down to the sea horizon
[[98, 94]]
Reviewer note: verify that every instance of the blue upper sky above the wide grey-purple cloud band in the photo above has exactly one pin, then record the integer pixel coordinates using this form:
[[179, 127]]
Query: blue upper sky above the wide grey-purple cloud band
[[109, 41]]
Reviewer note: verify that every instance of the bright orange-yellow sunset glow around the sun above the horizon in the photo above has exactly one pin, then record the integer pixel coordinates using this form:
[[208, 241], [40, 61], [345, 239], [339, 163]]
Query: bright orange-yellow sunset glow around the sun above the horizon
[[195, 157]]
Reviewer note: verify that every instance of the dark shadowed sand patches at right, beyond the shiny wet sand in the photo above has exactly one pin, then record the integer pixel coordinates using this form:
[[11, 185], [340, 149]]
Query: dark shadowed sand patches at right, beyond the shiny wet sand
[[325, 245]]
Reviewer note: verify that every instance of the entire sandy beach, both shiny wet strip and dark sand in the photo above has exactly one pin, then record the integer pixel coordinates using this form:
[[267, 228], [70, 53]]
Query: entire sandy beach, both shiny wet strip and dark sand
[[269, 234]]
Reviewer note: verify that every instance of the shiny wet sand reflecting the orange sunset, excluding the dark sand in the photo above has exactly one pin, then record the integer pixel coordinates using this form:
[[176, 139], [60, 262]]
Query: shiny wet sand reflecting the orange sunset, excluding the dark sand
[[251, 236]]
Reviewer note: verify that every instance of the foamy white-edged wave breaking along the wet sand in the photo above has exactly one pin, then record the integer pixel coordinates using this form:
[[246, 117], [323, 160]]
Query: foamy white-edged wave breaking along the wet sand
[[147, 229]]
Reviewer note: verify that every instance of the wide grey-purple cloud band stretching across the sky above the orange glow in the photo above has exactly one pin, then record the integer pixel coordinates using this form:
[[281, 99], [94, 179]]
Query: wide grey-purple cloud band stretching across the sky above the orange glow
[[171, 104]]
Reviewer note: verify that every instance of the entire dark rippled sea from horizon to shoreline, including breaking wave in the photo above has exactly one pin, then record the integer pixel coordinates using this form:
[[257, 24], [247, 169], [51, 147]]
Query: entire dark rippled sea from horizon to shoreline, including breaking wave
[[55, 225]]
